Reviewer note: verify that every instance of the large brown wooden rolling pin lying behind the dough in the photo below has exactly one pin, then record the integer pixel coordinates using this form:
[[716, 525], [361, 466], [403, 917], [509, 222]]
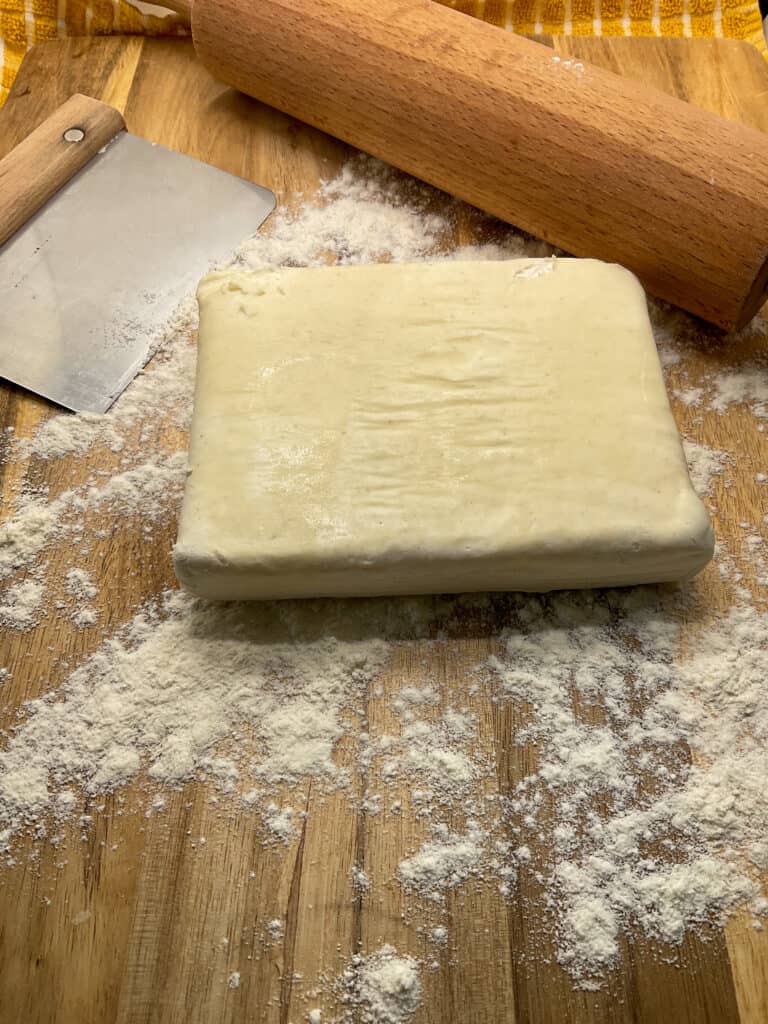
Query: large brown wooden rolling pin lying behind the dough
[[593, 163]]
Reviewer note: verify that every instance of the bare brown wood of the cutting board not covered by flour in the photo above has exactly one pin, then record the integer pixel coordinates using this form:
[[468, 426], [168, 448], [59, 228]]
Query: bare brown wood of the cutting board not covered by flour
[[137, 936]]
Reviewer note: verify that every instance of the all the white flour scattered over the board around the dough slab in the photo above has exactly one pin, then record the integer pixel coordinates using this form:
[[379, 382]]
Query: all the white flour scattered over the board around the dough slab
[[587, 702]]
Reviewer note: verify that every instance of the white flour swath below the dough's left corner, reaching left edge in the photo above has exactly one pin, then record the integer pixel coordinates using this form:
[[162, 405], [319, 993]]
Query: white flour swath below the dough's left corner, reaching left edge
[[172, 689]]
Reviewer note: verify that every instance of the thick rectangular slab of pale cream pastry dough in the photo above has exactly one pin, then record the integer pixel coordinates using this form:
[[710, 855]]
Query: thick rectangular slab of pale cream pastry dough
[[433, 428]]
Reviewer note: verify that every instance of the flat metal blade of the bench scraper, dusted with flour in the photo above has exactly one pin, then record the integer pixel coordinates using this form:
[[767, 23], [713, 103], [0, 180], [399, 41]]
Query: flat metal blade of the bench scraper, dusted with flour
[[88, 285]]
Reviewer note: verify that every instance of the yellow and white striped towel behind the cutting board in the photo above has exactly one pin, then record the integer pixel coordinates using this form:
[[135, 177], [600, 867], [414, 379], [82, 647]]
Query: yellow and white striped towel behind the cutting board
[[24, 23]]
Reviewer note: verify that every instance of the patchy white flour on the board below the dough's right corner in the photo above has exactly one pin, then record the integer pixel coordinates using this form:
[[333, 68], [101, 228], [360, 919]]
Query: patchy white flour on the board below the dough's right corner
[[580, 669]]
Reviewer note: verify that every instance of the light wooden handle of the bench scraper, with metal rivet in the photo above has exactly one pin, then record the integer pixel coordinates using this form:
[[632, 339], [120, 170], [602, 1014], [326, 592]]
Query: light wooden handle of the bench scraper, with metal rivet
[[55, 152]]
